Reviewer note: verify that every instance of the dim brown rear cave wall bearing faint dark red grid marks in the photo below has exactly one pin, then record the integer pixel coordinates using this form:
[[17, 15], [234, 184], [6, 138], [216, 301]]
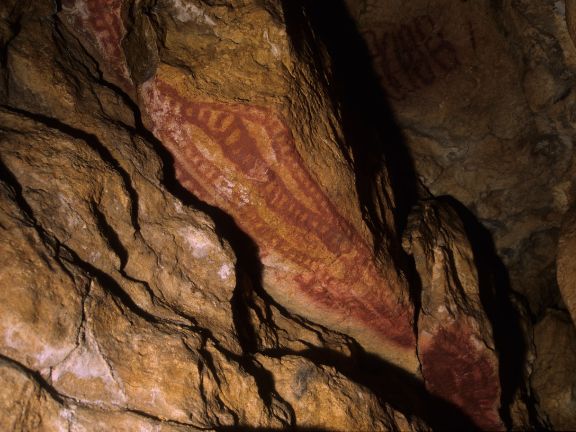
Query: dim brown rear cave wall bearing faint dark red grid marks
[[484, 95]]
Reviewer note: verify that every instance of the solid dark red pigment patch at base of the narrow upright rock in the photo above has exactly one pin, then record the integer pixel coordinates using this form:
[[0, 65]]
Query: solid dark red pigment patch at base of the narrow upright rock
[[458, 371]]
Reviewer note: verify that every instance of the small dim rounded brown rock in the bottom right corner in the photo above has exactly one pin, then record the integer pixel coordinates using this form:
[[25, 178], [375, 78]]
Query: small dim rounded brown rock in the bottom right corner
[[553, 378]]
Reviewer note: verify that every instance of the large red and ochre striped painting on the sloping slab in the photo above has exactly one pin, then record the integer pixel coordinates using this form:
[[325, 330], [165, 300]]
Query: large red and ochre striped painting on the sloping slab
[[243, 159]]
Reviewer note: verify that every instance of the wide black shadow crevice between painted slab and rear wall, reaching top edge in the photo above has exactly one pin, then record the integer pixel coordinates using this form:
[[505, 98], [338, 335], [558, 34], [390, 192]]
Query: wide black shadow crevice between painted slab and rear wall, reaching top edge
[[369, 127]]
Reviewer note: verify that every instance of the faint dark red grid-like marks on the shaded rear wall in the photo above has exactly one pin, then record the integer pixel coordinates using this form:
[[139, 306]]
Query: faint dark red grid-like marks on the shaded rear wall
[[412, 56]]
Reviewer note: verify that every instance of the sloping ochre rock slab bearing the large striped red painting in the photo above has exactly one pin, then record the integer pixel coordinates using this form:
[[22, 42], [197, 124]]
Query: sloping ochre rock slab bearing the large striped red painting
[[254, 160]]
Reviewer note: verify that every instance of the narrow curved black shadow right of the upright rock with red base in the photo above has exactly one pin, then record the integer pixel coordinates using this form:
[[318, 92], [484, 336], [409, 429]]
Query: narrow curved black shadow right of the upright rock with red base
[[497, 299]]
